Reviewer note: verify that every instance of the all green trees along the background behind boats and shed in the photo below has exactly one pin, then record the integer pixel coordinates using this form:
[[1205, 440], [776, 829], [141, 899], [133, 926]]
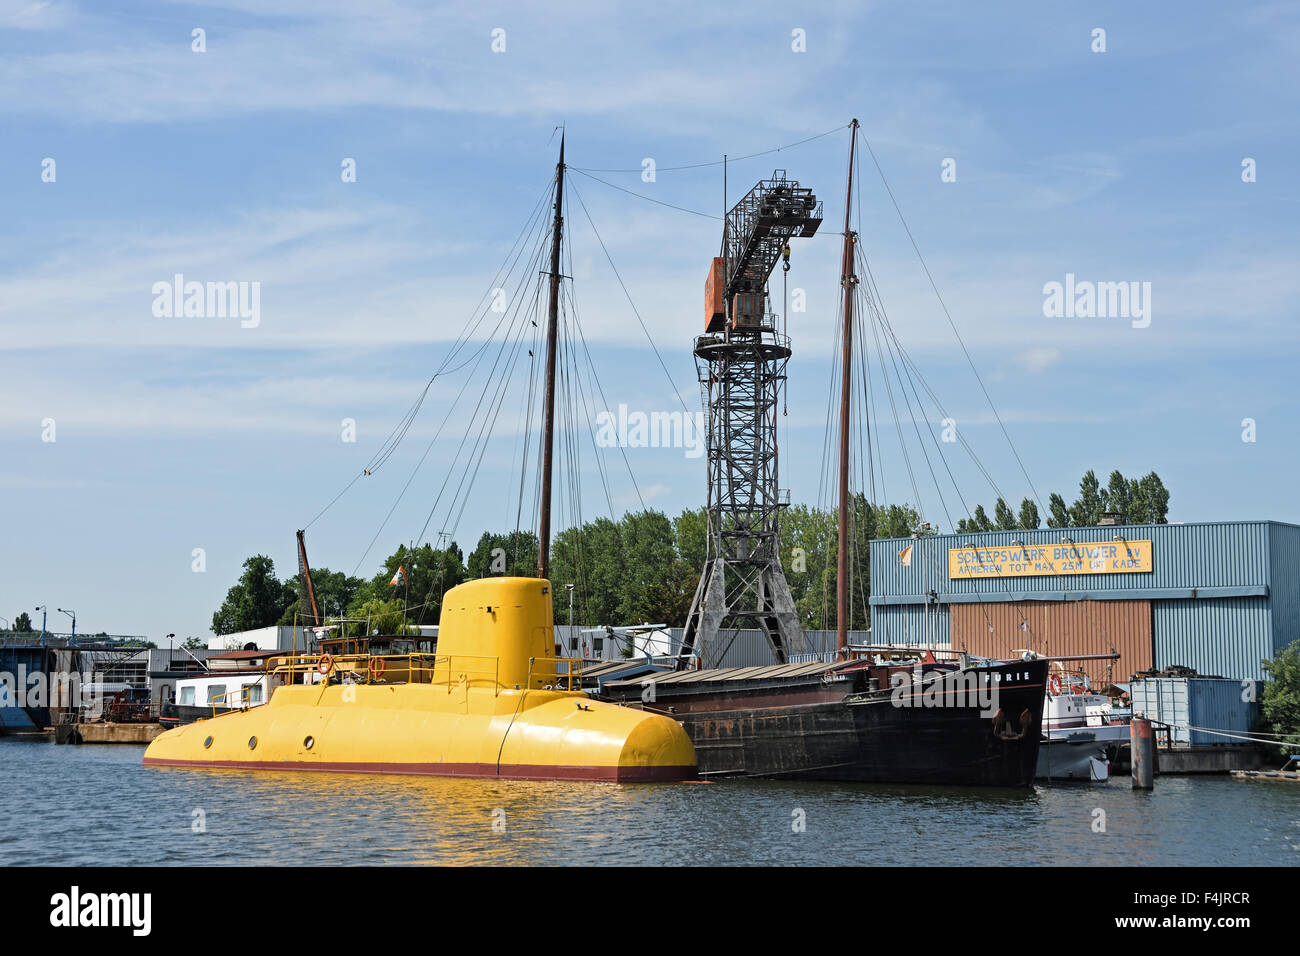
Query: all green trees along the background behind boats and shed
[[644, 568]]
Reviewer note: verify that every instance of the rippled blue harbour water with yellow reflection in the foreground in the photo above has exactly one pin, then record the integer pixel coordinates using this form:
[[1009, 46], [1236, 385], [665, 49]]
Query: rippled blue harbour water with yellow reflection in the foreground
[[98, 806]]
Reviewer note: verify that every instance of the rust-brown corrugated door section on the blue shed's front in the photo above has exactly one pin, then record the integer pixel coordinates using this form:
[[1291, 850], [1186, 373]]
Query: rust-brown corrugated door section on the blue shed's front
[[1060, 629]]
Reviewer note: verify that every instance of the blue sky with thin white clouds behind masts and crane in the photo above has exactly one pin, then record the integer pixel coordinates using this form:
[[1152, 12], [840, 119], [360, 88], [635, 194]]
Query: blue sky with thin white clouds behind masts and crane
[[148, 457]]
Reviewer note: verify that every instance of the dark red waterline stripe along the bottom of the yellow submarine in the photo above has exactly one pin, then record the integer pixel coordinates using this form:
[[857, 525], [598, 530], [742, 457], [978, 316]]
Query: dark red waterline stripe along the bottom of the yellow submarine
[[519, 772]]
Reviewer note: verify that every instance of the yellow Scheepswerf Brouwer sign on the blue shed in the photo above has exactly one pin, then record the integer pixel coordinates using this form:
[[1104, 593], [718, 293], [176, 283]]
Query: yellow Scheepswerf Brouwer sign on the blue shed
[[1081, 559]]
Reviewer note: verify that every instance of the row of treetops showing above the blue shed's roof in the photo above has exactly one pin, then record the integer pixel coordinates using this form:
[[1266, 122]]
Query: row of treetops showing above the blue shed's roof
[[1133, 501]]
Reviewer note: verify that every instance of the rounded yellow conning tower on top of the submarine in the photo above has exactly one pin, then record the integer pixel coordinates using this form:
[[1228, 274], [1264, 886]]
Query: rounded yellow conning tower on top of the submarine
[[499, 630]]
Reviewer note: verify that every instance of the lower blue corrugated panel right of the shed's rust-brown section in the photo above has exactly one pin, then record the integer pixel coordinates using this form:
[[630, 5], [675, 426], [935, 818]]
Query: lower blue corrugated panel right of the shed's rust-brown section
[[1227, 638]]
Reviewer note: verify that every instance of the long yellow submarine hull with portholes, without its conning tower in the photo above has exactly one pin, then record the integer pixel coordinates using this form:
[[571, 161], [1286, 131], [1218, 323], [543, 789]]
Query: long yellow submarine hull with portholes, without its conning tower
[[426, 729]]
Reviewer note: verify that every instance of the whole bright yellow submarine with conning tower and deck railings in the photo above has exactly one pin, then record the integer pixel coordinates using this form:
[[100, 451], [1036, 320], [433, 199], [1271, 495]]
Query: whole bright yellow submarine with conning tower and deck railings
[[496, 702]]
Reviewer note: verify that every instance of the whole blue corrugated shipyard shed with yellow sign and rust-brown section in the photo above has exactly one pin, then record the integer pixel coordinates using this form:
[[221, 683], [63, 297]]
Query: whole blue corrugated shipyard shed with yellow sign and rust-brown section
[[1217, 598]]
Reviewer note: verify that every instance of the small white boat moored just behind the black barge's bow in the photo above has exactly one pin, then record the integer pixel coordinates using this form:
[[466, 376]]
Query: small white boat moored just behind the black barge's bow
[[1081, 732]]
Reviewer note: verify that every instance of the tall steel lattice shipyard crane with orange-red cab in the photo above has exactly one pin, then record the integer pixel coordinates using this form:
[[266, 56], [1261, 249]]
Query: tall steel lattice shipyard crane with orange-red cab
[[742, 365]]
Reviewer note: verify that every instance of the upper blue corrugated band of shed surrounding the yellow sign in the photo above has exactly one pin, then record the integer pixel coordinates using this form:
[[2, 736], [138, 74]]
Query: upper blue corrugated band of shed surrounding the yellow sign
[[1229, 555]]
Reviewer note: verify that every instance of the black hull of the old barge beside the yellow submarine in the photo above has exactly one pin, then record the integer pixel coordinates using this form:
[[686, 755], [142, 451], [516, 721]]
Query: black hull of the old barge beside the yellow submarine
[[856, 721]]
